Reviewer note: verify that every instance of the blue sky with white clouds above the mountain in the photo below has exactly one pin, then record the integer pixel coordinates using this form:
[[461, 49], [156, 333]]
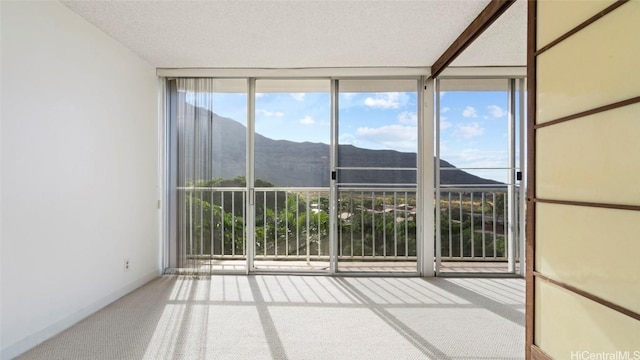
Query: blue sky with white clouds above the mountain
[[473, 124]]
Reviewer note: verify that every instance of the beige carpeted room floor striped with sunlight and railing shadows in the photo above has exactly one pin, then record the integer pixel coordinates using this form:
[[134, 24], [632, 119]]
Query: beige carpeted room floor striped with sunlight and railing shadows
[[302, 317]]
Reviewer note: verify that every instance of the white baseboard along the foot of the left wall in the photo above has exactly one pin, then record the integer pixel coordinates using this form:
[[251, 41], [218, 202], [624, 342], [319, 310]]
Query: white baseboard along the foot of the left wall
[[35, 339]]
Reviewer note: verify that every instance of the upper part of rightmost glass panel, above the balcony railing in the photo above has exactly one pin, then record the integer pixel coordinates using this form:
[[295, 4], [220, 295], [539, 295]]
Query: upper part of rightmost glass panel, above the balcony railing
[[474, 130]]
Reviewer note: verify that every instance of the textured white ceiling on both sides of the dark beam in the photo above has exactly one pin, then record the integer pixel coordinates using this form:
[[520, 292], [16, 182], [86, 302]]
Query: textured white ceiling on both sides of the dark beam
[[301, 33]]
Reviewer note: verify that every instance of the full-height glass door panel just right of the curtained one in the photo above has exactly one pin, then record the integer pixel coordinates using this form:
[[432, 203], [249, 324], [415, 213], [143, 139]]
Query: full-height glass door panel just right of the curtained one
[[291, 152]]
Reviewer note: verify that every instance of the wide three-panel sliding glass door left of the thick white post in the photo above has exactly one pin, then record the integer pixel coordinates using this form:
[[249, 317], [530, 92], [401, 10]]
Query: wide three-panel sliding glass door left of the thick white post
[[294, 175]]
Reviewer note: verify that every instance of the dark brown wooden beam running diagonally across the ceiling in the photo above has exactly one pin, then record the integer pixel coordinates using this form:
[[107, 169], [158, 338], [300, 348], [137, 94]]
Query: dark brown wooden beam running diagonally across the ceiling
[[486, 17]]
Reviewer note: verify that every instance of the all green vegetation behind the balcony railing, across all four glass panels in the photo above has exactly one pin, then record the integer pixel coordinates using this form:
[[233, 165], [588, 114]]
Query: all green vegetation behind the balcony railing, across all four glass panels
[[295, 224]]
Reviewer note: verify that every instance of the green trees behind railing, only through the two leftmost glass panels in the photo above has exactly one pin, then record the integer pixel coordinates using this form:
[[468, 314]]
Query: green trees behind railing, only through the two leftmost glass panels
[[214, 220]]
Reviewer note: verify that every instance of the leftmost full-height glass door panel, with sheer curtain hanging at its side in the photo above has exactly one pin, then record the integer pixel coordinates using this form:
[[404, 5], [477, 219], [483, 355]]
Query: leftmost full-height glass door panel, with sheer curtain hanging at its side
[[207, 175]]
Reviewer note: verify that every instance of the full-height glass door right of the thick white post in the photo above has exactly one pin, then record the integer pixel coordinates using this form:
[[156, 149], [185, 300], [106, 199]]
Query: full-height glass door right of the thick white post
[[479, 148]]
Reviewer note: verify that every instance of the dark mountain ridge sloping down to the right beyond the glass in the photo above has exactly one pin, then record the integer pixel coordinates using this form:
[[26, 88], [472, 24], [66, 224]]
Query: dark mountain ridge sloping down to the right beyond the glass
[[288, 163]]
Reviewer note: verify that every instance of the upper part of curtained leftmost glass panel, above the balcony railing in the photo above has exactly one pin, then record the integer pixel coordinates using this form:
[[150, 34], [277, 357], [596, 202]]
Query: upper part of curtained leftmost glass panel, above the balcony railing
[[211, 118]]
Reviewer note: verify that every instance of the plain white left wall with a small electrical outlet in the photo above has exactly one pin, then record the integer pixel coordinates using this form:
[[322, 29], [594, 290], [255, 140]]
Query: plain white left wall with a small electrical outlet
[[79, 159]]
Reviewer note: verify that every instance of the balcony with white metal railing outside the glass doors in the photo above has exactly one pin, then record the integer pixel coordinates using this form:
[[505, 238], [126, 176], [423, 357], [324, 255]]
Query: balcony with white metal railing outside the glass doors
[[375, 229]]
